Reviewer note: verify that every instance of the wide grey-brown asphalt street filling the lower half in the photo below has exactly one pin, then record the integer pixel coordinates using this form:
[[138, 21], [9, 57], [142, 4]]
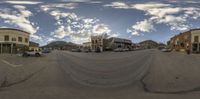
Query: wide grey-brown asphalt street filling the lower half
[[141, 74]]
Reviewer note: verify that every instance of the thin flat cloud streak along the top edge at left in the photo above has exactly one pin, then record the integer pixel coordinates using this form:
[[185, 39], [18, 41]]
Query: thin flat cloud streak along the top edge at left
[[23, 2]]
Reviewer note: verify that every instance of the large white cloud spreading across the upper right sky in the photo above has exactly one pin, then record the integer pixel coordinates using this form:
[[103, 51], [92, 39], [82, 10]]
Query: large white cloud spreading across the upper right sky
[[176, 17]]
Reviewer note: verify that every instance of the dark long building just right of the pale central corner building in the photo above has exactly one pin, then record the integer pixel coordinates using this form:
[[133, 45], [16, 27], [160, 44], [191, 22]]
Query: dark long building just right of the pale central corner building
[[114, 43]]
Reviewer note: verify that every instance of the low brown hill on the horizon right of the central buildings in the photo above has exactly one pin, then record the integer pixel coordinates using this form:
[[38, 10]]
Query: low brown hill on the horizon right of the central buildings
[[148, 44]]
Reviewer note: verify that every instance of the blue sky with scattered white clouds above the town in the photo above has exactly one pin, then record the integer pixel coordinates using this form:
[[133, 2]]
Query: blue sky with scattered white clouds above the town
[[76, 20]]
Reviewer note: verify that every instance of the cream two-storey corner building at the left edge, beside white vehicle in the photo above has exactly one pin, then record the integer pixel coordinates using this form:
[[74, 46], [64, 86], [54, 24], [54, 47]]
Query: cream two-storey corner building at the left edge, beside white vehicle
[[13, 40]]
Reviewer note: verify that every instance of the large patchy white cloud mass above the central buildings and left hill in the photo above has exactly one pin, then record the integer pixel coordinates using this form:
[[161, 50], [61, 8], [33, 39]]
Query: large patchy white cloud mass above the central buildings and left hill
[[77, 29]]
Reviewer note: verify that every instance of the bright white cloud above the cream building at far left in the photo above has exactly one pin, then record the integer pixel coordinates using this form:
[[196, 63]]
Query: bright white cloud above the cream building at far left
[[19, 17]]
